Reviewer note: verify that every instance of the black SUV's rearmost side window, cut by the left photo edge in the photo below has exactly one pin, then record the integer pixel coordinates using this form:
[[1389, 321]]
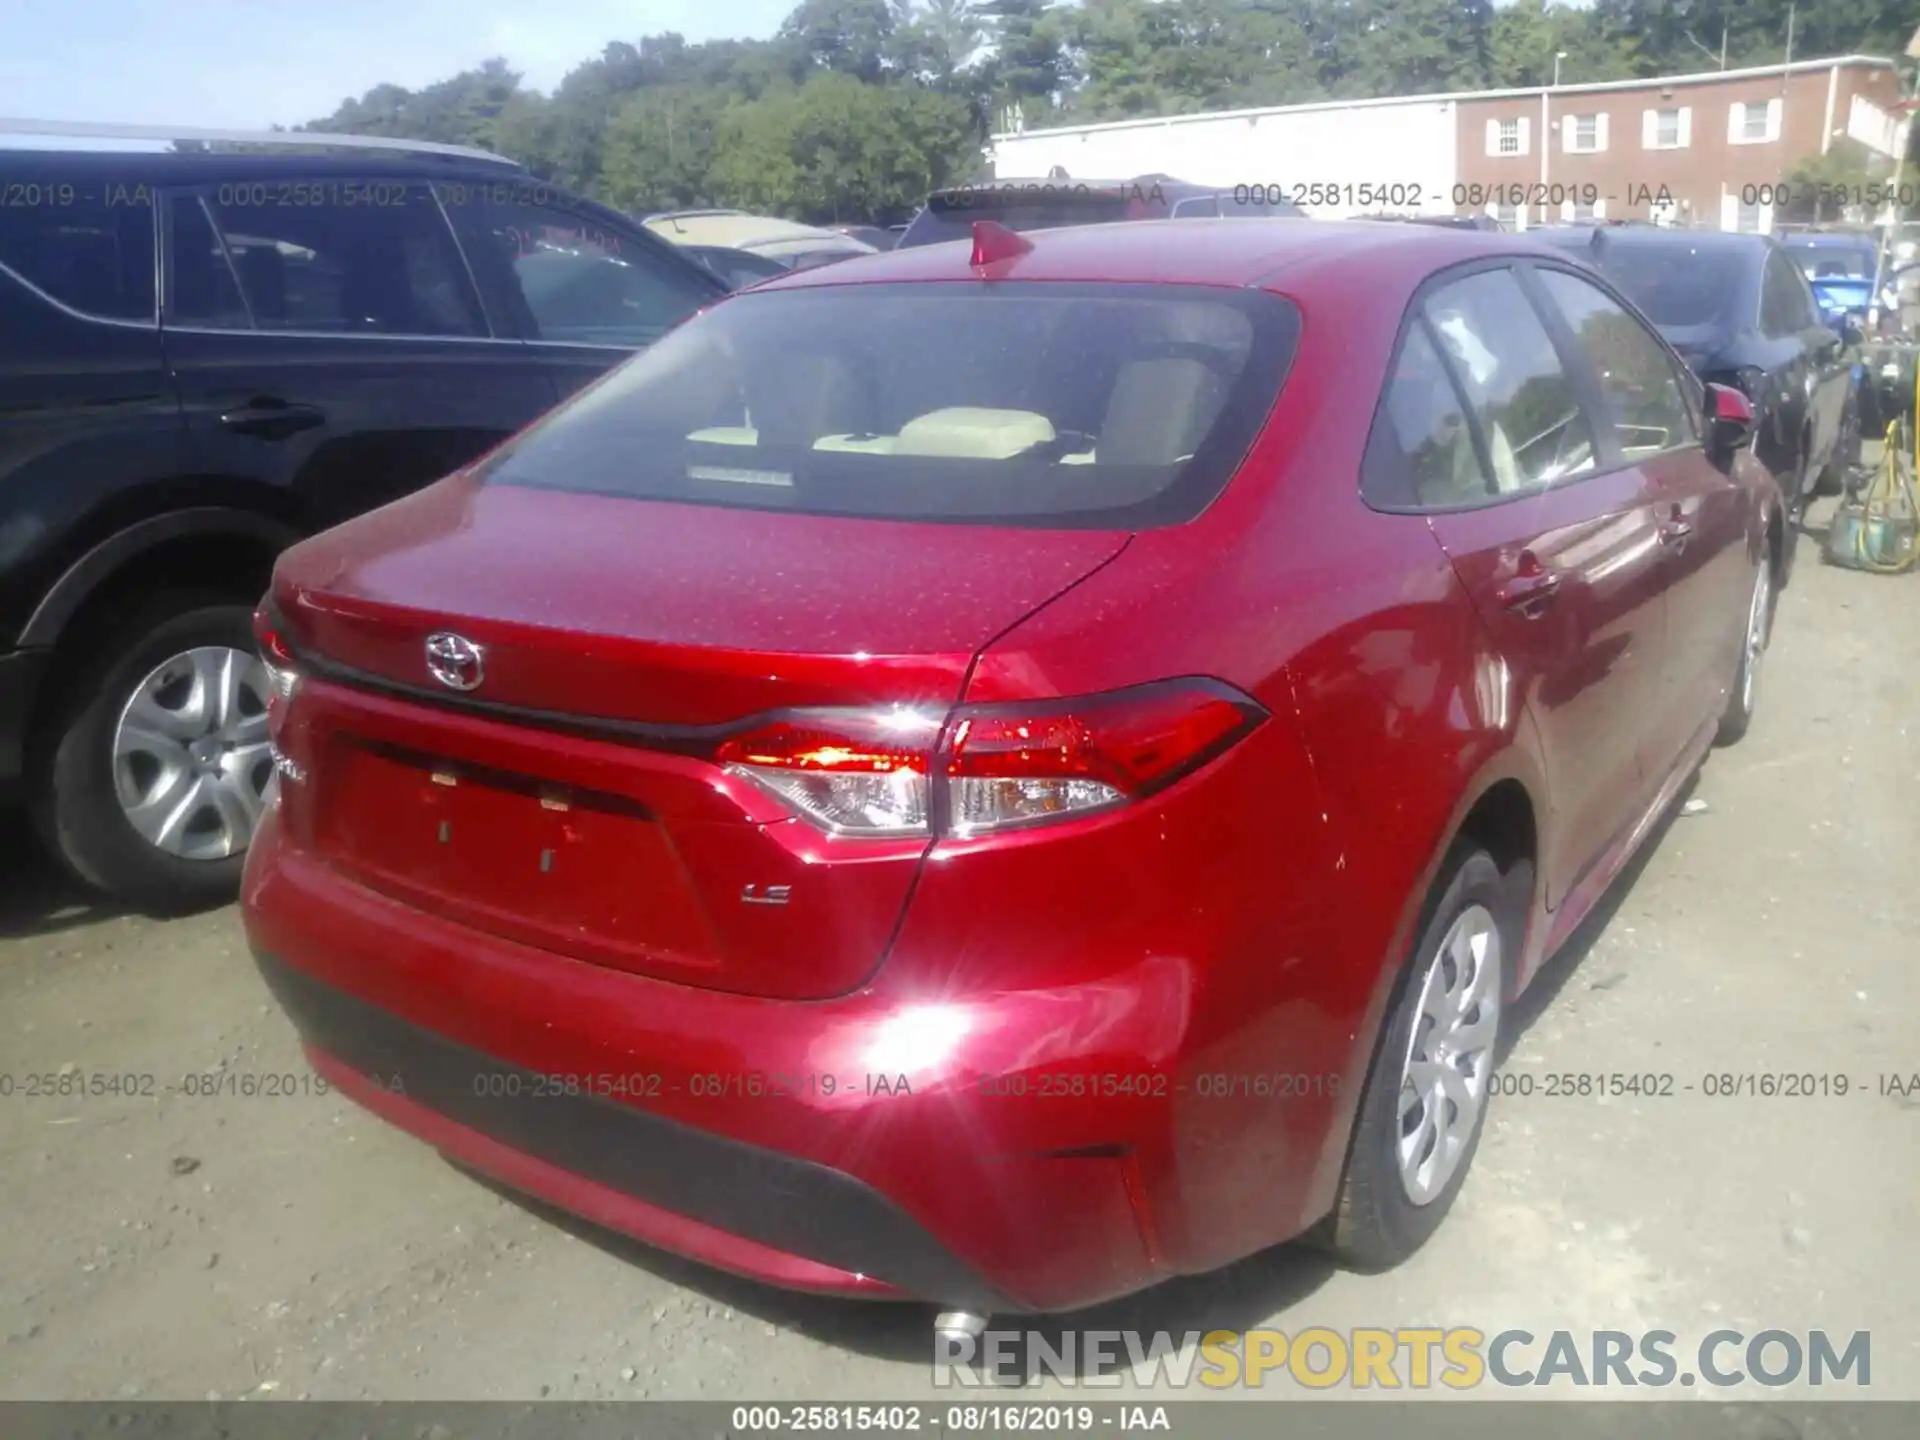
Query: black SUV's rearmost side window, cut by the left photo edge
[[89, 247]]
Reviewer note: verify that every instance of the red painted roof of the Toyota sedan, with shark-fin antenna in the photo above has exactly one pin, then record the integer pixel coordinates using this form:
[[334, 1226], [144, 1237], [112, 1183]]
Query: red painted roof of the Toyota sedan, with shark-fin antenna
[[1282, 254]]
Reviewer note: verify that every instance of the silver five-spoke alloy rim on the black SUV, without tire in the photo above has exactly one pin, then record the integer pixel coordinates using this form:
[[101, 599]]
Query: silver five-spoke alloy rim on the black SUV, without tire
[[191, 757]]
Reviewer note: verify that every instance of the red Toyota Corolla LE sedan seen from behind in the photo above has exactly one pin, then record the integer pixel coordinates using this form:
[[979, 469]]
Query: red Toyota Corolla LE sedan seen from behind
[[1003, 777]]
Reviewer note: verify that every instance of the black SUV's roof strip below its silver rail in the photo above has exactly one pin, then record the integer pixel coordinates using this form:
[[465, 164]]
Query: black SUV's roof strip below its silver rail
[[201, 168]]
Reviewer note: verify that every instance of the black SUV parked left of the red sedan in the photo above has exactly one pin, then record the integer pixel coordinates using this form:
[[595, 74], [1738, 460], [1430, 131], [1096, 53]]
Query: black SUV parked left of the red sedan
[[206, 358]]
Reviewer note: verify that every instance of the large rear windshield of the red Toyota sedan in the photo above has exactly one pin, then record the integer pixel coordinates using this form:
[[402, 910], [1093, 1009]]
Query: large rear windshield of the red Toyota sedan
[[1055, 406]]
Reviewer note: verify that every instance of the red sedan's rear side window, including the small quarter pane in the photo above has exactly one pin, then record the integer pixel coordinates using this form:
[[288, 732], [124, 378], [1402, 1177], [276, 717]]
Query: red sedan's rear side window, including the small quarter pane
[[1477, 347]]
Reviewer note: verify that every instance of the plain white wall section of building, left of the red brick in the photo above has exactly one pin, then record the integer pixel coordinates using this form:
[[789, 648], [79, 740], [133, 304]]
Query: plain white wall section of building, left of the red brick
[[1332, 160]]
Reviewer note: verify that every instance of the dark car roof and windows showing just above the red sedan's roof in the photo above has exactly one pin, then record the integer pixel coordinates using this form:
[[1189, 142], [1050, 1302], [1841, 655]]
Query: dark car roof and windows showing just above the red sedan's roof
[[1055, 203]]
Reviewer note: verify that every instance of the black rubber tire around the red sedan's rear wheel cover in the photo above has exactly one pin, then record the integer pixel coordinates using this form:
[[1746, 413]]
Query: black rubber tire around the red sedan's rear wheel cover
[[1376, 1224]]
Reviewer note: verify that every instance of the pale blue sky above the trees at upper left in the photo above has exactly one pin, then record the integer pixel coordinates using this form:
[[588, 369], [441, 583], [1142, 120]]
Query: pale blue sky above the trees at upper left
[[239, 64]]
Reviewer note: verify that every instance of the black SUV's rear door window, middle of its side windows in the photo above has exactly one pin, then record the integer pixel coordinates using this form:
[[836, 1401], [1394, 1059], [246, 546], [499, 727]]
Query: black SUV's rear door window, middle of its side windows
[[331, 256]]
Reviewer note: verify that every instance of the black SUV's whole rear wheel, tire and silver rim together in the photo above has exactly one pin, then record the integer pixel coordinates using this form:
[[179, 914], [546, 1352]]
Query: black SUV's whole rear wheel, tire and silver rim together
[[156, 763]]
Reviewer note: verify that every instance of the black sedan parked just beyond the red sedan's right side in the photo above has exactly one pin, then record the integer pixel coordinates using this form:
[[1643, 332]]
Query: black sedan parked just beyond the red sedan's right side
[[1739, 308]]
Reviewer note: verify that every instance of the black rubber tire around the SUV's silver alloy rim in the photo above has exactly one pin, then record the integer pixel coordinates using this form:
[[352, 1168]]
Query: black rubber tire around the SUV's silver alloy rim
[[76, 805]]
